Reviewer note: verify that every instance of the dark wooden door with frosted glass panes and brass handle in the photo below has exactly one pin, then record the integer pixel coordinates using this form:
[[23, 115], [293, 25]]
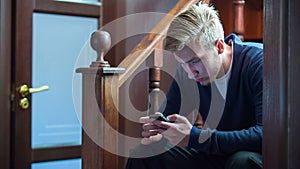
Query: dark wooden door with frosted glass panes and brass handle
[[46, 37]]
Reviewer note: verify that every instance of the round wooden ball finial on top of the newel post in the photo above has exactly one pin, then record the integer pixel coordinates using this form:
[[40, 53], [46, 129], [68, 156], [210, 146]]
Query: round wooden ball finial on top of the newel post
[[100, 42]]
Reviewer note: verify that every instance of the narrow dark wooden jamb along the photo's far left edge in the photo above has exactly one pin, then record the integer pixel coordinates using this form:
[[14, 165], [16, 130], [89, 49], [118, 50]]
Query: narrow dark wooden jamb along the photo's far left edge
[[5, 82]]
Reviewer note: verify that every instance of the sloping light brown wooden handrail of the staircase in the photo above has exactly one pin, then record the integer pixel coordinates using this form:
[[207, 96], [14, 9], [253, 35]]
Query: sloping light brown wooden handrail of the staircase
[[140, 53]]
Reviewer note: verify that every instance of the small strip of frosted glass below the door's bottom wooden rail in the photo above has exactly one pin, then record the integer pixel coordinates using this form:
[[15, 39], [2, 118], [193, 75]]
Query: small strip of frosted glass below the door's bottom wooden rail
[[64, 164]]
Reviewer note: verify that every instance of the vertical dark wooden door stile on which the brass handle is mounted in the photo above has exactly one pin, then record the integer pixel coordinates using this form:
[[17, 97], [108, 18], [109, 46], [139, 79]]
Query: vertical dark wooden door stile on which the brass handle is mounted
[[21, 137]]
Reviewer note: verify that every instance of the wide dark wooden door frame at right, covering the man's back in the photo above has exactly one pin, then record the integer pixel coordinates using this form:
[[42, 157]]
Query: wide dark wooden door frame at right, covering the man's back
[[281, 148]]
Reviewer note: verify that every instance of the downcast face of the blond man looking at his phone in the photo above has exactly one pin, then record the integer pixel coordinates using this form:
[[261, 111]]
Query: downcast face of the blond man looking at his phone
[[201, 65]]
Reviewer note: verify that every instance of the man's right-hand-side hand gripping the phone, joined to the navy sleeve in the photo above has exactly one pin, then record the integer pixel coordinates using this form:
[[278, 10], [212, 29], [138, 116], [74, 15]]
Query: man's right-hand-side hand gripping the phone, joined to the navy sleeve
[[177, 133]]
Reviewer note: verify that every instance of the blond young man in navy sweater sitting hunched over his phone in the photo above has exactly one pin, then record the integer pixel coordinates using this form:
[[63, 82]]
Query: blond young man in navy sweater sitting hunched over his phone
[[222, 80]]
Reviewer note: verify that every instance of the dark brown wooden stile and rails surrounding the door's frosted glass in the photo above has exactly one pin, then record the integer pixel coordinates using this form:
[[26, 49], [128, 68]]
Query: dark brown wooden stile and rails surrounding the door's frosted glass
[[21, 74]]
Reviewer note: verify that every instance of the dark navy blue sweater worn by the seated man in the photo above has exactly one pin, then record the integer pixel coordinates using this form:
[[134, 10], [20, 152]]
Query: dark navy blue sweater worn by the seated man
[[234, 124]]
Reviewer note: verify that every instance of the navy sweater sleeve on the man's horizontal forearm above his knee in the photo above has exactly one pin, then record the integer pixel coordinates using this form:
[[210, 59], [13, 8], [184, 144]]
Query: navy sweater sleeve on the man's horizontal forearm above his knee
[[226, 142]]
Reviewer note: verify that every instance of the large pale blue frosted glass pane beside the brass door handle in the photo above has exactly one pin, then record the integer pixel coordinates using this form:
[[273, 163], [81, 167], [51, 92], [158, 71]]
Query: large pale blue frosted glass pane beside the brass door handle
[[57, 41]]
